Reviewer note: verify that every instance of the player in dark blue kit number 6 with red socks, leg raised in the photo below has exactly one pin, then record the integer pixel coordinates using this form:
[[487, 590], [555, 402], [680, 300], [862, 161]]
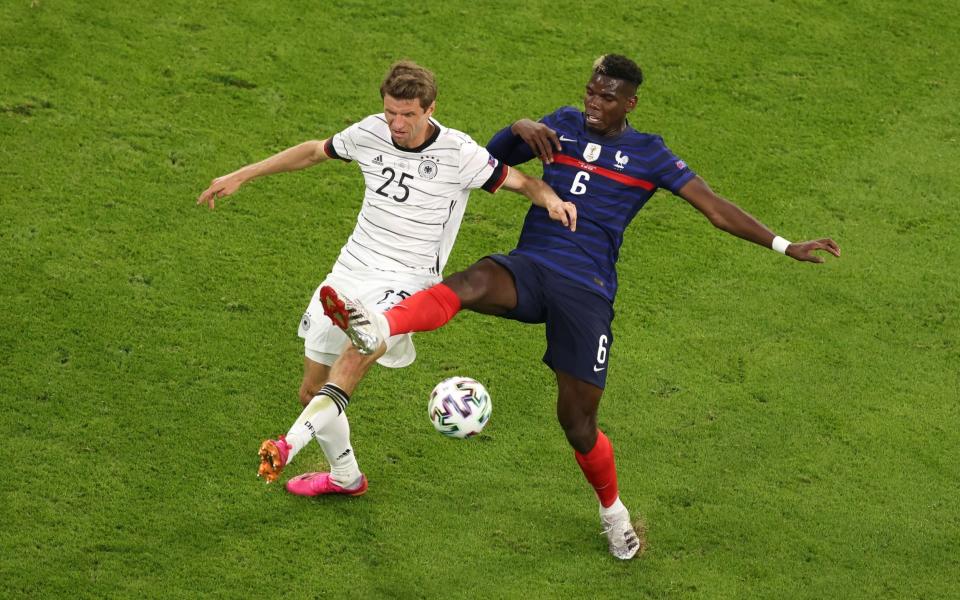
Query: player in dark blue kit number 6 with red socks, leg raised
[[567, 279]]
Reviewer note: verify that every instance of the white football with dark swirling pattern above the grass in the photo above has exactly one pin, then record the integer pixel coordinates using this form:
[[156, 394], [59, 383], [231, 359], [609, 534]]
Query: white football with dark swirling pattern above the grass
[[459, 407]]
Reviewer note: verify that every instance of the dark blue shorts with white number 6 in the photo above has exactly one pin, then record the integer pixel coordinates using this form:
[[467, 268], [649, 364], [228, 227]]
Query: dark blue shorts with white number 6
[[578, 320]]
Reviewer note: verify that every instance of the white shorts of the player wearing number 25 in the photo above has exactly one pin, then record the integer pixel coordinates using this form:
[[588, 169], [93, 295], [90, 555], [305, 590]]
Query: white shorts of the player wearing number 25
[[323, 341]]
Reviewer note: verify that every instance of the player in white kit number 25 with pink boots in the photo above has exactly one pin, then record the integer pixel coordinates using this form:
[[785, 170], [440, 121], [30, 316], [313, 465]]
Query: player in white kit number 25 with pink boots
[[418, 177]]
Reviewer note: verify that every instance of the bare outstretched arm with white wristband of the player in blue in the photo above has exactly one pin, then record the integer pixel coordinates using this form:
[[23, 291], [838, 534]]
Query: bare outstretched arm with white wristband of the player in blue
[[731, 218]]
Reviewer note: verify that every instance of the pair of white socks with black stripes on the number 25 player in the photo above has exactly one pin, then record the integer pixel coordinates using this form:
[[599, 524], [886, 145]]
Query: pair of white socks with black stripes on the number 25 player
[[324, 419]]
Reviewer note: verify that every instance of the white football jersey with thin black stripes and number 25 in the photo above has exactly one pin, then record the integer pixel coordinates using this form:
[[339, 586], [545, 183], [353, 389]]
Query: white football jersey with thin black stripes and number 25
[[415, 198]]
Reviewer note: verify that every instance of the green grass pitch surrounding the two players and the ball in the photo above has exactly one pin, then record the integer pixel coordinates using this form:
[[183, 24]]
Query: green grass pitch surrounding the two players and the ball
[[786, 430]]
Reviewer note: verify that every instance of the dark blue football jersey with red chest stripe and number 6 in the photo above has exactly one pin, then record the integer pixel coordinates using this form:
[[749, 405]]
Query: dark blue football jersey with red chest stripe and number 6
[[608, 178]]
